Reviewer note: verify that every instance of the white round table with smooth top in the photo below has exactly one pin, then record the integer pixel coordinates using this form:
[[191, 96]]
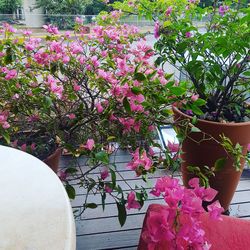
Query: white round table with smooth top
[[35, 212]]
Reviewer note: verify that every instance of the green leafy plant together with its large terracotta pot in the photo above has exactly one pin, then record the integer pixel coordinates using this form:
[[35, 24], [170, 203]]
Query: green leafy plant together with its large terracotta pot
[[210, 47]]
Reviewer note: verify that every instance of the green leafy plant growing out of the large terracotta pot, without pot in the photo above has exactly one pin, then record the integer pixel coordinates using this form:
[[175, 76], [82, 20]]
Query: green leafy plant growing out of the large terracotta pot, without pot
[[208, 45]]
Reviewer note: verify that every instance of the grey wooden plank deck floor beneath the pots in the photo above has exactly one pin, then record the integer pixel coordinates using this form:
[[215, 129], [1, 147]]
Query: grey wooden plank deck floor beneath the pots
[[98, 229]]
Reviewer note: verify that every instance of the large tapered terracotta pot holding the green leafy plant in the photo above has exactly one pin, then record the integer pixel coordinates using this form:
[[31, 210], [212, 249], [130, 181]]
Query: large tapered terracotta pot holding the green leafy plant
[[206, 152]]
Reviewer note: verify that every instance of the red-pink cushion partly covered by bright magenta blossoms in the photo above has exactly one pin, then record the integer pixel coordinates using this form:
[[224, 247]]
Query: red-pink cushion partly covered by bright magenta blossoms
[[230, 234]]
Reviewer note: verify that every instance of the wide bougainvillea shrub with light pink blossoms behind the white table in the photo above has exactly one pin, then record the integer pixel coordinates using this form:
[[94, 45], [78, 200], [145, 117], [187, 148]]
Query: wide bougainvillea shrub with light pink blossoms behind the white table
[[90, 93]]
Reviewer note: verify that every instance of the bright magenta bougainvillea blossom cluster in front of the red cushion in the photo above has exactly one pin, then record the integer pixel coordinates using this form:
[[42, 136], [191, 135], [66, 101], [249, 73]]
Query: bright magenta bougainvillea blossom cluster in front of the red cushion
[[177, 226]]
